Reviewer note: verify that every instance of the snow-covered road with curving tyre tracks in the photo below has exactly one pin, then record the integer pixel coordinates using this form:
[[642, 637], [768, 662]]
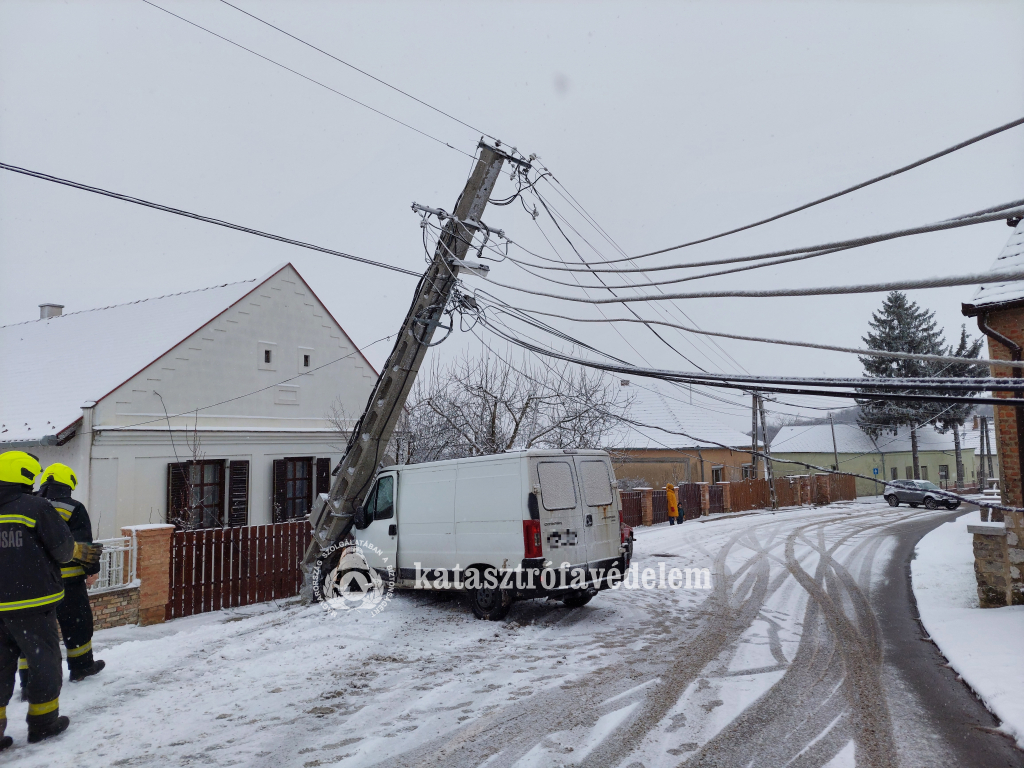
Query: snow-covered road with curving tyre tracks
[[784, 662]]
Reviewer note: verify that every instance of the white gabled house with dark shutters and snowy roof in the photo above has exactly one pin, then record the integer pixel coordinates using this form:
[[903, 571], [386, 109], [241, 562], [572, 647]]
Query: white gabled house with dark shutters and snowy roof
[[215, 400]]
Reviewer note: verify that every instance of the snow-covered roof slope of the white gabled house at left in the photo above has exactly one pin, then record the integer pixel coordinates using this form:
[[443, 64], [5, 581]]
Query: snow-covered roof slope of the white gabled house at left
[[52, 368]]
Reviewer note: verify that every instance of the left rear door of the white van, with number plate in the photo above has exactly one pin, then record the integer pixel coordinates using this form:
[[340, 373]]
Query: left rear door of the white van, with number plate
[[562, 511]]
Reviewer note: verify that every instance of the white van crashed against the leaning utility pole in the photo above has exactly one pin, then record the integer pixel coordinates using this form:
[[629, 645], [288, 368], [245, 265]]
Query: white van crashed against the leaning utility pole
[[522, 525]]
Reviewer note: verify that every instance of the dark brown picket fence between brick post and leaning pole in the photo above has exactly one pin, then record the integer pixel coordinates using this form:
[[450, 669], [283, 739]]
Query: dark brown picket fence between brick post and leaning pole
[[225, 568]]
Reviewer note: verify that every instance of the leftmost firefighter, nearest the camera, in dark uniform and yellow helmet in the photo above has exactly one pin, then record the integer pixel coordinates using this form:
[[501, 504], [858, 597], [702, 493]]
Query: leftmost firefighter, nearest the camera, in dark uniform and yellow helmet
[[34, 542]]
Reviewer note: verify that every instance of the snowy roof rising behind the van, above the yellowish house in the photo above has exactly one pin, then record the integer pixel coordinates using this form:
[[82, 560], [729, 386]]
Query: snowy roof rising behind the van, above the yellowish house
[[665, 411]]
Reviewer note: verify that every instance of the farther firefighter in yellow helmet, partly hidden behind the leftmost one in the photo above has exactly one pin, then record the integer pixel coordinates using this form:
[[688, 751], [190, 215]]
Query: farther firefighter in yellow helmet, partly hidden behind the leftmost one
[[74, 613]]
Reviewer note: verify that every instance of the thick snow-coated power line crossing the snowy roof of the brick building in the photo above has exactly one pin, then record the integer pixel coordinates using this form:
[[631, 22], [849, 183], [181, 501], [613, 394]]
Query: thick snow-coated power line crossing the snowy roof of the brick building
[[948, 282]]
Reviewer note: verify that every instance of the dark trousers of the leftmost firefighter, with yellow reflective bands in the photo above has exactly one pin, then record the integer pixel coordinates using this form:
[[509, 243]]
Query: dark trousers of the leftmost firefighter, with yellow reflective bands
[[33, 636]]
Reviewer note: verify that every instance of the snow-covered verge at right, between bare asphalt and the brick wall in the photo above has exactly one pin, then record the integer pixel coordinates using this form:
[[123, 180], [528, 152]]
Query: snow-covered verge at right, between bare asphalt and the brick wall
[[983, 645]]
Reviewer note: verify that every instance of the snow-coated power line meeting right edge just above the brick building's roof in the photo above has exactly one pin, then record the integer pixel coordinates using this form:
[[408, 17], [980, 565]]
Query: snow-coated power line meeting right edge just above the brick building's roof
[[995, 214]]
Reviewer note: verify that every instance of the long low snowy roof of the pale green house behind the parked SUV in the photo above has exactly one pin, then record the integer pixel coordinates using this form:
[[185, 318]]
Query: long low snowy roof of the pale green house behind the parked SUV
[[817, 439]]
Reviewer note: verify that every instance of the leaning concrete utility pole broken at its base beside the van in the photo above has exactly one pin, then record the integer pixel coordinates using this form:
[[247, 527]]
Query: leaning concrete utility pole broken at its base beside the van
[[332, 522]]
